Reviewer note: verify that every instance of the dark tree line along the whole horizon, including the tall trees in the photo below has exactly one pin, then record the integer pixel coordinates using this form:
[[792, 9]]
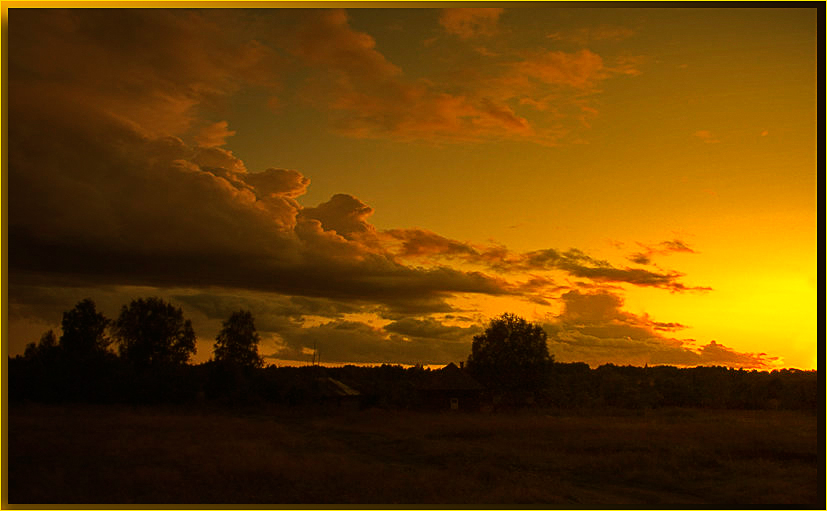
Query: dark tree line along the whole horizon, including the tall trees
[[154, 343]]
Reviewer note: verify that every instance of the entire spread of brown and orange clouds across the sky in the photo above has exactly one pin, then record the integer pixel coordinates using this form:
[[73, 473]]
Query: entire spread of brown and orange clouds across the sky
[[120, 183]]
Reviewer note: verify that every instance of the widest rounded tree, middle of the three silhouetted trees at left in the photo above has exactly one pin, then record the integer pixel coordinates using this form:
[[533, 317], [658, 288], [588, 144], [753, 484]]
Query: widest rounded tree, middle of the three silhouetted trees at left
[[151, 331]]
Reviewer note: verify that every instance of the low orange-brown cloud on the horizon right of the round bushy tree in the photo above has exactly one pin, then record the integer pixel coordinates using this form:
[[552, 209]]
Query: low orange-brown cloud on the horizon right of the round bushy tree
[[593, 328]]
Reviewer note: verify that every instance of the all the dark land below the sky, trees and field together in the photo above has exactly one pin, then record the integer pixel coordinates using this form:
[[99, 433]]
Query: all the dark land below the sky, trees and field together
[[143, 426]]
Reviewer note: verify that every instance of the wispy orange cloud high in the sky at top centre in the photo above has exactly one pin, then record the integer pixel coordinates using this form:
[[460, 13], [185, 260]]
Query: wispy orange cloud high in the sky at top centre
[[373, 98]]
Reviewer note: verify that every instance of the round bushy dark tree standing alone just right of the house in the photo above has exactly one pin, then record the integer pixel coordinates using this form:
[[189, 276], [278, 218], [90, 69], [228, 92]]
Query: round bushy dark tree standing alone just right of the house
[[511, 355]]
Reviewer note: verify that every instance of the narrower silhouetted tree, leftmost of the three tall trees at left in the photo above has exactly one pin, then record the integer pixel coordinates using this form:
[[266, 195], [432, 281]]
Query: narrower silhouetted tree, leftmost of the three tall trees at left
[[84, 331]]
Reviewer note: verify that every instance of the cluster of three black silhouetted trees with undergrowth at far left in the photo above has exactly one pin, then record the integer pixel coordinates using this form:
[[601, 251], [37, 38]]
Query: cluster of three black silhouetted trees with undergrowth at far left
[[141, 356]]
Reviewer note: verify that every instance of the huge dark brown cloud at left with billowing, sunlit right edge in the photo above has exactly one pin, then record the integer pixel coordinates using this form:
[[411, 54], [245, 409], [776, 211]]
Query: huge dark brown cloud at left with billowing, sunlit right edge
[[105, 190]]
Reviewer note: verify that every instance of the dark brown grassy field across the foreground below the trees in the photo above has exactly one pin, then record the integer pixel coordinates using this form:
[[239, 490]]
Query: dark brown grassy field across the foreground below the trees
[[662, 458]]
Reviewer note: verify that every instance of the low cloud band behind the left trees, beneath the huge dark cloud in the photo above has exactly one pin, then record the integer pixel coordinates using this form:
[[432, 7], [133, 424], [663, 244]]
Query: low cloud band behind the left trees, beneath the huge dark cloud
[[288, 325]]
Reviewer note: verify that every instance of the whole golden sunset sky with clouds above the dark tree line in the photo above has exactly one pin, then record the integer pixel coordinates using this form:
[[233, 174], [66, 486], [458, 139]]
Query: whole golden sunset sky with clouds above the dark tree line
[[381, 182]]
